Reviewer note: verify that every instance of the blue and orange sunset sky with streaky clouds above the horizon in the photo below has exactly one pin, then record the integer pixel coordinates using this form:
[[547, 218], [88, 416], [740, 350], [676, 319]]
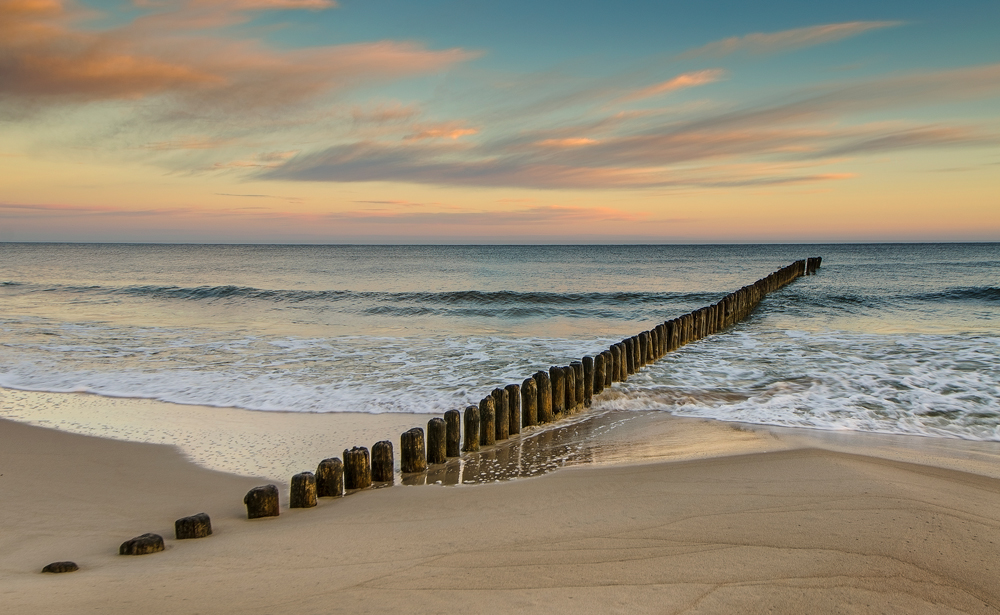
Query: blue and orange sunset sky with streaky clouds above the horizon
[[460, 121]]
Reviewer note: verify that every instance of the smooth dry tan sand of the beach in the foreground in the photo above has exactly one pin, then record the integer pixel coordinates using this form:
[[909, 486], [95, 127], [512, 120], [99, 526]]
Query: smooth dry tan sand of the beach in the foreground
[[758, 521]]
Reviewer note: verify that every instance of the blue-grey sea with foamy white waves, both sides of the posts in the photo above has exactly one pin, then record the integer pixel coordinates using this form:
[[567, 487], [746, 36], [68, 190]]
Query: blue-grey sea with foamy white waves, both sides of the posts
[[886, 338]]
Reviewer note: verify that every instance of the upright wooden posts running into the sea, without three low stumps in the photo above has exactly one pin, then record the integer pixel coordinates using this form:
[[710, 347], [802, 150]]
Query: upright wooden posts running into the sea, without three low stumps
[[544, 397]]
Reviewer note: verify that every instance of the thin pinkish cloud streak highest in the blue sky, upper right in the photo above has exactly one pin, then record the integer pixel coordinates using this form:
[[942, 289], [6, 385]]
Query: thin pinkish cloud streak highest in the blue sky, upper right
[[760, 43]]
